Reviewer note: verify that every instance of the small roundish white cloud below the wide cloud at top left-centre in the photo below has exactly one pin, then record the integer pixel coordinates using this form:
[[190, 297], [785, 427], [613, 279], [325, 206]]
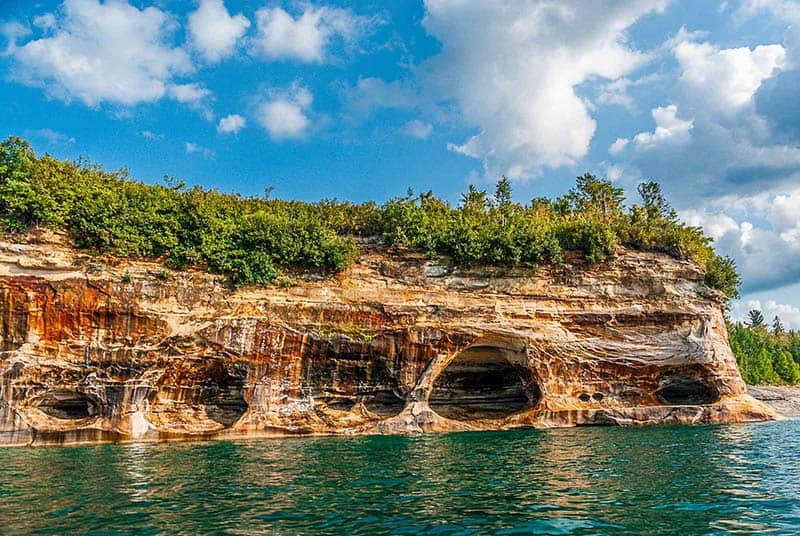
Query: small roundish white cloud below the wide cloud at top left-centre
[[284, 115]]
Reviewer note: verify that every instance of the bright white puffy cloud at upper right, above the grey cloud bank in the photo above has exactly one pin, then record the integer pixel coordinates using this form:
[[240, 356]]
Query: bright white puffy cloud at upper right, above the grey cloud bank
[[726, 79]]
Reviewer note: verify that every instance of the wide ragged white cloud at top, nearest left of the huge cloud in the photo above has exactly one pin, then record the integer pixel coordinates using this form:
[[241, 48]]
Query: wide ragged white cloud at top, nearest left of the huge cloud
[[307, 37]]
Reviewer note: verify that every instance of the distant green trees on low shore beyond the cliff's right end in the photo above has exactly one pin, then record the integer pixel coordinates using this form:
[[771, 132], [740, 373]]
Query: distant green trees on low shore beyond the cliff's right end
[[766, 355]]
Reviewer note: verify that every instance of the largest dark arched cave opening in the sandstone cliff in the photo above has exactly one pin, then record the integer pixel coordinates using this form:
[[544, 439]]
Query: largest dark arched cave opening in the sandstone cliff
[[484, 382]]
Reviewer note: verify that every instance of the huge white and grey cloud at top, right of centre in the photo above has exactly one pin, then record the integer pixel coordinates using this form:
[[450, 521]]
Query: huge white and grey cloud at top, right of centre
[[512, 68]]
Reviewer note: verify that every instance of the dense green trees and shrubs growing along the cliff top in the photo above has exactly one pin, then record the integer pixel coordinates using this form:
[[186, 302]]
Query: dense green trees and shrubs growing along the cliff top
[[253, 240]]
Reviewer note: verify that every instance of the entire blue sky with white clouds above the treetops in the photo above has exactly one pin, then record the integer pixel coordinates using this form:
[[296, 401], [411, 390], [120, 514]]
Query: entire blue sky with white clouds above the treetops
[[362, 100]]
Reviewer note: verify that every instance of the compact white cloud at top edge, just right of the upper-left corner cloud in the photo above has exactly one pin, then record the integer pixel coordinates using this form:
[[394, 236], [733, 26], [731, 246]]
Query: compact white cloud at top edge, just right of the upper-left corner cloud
[[214, 32]]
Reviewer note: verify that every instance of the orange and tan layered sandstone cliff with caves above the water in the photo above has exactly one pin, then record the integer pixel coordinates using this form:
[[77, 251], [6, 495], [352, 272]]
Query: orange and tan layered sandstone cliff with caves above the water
[[95, 351]]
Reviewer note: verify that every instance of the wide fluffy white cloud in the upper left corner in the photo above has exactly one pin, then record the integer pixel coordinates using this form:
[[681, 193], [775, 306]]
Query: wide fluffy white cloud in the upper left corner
[[102, 52]]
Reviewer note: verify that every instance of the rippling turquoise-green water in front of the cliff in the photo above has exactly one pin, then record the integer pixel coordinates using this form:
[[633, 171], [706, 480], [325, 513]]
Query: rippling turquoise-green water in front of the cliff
[[656, 480]]
